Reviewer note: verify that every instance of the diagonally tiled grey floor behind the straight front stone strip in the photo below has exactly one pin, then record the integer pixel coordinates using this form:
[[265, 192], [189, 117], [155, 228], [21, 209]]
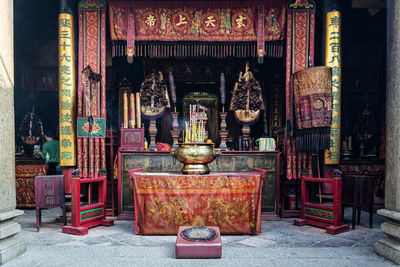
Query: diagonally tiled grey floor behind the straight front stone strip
[[281, 233]]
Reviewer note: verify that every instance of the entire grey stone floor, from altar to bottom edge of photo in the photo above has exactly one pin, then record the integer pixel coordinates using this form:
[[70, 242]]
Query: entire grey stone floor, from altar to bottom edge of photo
[[280, 244]]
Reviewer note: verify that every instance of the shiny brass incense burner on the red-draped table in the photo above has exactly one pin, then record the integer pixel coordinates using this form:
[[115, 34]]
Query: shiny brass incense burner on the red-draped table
[[195, 157]]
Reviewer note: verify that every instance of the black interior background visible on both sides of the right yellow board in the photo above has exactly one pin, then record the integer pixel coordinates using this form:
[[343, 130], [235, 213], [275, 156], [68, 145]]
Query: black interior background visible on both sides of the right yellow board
[[363, 65]]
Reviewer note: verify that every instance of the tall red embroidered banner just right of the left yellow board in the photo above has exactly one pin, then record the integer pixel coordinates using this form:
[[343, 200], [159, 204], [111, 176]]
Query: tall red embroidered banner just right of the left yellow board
[[92, 52]]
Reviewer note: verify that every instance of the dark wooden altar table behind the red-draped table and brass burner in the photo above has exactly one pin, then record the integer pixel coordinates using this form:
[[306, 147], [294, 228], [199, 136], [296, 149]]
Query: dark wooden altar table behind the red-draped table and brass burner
[[229, 161]]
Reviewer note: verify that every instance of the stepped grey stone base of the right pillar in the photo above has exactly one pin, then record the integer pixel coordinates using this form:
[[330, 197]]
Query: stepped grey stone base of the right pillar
[[389, 247]]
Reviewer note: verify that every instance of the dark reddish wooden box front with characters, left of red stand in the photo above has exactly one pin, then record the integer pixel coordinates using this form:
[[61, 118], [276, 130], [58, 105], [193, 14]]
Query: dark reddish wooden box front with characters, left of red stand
[[49, 191]]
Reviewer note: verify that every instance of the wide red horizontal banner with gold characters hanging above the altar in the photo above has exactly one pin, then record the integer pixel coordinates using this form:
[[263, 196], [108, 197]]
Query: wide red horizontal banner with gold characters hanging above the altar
[[195, 24]]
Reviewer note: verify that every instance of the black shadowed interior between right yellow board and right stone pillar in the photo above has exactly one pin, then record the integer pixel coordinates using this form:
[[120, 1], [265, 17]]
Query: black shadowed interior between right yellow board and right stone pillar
[[364, 76]]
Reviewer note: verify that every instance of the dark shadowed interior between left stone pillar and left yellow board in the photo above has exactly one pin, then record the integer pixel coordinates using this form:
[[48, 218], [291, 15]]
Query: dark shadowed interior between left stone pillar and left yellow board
[[36, 50]]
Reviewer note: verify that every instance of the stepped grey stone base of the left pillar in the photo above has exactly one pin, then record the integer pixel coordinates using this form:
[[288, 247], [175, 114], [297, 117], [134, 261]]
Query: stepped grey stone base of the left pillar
[[10, 247]]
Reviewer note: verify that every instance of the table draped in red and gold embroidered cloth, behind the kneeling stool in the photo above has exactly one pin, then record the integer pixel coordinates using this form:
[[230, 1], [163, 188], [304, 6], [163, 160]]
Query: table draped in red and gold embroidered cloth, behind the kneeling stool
[[165, 201]]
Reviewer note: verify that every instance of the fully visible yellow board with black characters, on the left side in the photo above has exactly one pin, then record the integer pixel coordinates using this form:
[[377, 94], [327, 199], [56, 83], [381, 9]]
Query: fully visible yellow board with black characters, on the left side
[[67, 89]]
